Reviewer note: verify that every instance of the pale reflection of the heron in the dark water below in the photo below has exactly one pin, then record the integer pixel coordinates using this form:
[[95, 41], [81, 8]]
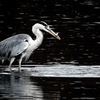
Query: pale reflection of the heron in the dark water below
[[15, 87]]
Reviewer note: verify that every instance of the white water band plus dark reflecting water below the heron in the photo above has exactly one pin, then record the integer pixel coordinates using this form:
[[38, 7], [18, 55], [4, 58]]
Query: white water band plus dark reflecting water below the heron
[[51, 82]]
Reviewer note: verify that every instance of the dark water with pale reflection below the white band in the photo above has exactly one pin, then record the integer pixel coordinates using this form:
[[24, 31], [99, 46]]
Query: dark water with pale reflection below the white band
[[20, 86]]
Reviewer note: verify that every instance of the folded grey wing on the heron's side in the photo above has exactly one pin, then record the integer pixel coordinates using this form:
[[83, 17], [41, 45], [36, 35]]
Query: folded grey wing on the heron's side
[[12, 47]]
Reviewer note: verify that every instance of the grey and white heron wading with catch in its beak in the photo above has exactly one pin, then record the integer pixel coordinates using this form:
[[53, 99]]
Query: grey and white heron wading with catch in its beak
[[20, 47]]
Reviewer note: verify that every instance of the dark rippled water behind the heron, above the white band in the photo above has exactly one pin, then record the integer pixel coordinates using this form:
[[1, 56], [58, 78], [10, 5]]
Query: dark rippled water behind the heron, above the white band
[[77, 21]]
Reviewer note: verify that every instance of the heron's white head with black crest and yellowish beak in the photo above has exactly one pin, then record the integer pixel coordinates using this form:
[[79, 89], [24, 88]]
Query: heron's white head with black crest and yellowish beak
[[45, 27]]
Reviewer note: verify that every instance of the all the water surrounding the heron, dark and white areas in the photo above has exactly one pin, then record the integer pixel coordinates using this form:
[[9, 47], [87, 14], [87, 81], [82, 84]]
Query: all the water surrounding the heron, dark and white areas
[[69, 68]]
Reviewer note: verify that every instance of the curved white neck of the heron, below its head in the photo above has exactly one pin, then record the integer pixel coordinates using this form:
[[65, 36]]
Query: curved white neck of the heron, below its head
[[39, 36]]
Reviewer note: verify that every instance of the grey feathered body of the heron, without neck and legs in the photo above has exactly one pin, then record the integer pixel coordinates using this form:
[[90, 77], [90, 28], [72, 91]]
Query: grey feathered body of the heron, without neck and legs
[[17, 45]]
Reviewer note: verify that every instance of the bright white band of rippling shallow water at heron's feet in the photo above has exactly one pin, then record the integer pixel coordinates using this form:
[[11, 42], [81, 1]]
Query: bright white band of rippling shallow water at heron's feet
[[55, 70]]
